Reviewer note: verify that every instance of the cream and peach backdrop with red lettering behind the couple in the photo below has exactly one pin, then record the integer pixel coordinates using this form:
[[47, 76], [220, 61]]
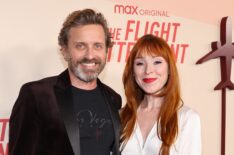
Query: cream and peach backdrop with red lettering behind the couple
[[29, 51]]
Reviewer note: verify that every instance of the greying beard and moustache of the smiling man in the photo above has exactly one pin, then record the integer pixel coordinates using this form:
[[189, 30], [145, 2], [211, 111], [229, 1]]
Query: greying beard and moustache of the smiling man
[[84, 73]]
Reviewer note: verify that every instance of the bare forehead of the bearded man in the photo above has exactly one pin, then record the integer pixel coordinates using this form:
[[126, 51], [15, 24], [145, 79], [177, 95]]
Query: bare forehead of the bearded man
[[87, 33]]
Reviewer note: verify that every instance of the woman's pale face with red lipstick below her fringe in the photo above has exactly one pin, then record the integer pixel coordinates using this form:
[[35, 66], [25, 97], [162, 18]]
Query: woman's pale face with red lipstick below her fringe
[[151, 73]]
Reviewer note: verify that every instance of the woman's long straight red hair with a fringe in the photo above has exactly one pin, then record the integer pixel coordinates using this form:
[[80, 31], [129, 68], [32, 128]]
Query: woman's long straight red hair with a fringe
[[167, 119]]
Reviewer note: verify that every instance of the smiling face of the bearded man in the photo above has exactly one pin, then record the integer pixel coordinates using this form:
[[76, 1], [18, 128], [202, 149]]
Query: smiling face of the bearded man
[[86, 51]]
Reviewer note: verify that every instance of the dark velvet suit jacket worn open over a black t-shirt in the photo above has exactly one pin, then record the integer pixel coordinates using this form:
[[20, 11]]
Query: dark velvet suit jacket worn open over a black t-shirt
[[42, 121]]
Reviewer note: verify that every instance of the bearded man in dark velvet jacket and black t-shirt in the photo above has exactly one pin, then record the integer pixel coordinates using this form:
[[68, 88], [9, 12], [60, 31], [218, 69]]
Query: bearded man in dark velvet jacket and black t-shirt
[[73, 113]]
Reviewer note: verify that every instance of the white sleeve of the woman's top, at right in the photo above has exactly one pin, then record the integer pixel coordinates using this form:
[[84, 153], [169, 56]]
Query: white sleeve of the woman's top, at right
[[190, 138]]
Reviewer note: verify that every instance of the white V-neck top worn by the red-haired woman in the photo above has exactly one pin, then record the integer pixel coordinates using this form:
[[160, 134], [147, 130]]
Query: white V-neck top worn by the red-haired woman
[[188, 141]]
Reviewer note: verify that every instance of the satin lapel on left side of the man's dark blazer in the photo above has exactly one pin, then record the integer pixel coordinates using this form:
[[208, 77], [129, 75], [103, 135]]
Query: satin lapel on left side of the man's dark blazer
[[65, 102]]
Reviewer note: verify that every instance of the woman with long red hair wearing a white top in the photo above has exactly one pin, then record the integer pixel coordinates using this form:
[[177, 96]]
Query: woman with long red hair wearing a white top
[[154, 119]]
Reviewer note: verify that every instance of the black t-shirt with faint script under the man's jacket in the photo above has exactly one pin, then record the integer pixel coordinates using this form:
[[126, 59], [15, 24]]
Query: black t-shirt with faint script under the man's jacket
[[95, 125]]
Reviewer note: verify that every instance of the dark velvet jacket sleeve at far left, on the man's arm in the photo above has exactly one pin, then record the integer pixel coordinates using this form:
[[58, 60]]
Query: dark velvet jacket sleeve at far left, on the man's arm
[[23, 124]]
